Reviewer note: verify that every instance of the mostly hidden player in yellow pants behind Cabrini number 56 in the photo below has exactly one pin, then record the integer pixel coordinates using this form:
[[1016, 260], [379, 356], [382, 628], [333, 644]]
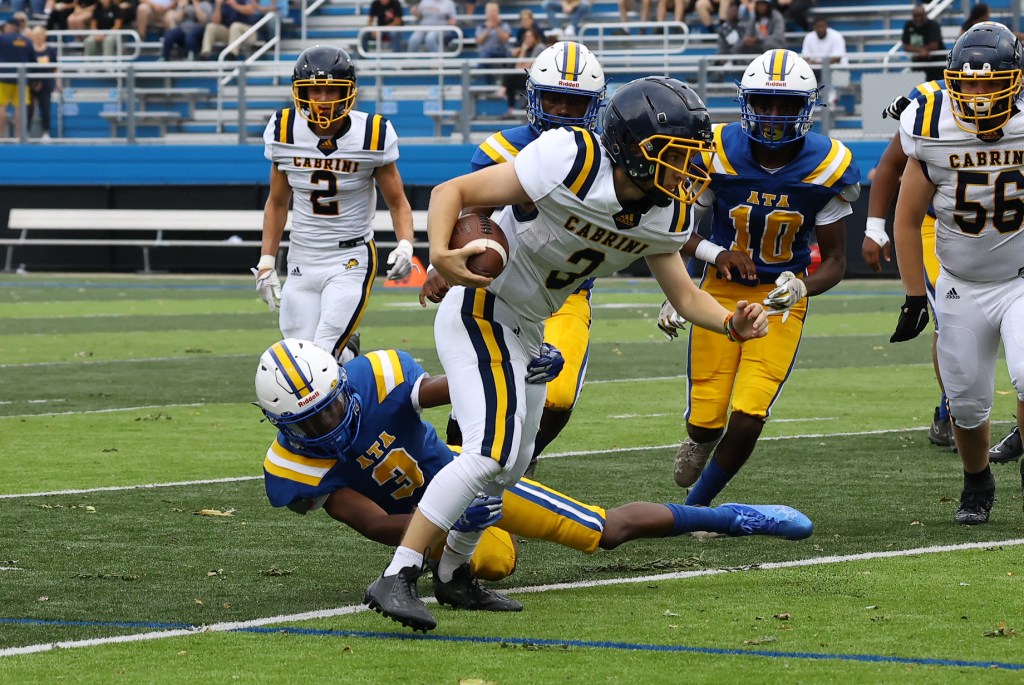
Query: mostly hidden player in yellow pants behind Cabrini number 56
[[877, 246]]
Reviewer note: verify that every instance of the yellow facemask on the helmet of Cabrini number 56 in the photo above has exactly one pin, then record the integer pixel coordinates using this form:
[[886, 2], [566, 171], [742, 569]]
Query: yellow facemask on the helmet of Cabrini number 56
[[983, 113]]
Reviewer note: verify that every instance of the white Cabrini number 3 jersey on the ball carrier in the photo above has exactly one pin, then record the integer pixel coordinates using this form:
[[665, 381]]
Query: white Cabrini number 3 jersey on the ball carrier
[[579, 230]]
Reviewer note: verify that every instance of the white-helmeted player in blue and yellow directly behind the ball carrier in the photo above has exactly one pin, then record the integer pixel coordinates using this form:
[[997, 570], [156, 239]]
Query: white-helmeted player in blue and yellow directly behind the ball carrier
[[565, 88]]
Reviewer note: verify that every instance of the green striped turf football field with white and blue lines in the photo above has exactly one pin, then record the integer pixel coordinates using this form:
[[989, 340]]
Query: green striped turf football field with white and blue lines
[[125, 410]]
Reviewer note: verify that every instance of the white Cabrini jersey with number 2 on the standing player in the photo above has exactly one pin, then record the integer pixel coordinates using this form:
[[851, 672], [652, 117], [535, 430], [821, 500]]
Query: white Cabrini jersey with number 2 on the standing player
[[334, 197]]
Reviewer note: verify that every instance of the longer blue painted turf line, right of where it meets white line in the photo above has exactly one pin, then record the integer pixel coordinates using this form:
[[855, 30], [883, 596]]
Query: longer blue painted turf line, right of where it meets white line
[[630, 647]]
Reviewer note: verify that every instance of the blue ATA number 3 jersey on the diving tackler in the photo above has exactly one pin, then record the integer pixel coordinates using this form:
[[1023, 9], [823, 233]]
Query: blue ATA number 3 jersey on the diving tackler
[[394, 455]]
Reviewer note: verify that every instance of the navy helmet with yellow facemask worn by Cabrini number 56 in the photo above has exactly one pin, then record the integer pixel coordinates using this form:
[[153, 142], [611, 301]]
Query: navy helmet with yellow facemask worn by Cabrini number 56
[[984, 77]]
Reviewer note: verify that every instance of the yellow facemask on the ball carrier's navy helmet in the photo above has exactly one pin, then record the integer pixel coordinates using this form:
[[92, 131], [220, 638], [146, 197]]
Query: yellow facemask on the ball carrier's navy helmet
[[675, 157]]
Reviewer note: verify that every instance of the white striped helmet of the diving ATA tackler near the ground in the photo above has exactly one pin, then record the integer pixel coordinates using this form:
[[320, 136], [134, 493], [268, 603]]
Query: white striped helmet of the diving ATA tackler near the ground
[[306, 394]]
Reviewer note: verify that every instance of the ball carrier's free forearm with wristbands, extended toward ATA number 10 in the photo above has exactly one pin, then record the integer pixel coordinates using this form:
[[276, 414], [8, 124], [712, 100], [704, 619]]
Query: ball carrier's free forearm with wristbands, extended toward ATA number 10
[[749, 320]]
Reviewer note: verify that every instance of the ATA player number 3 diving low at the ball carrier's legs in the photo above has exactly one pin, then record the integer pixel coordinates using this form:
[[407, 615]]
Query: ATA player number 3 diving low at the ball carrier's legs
[[352, 442]]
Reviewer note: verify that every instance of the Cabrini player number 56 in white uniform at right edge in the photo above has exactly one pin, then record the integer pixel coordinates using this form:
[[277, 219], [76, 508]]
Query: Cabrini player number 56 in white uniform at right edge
[[965, 149]]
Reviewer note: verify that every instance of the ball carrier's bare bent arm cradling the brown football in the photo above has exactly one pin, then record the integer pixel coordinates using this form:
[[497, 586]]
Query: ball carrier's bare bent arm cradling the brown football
[[494, 187]]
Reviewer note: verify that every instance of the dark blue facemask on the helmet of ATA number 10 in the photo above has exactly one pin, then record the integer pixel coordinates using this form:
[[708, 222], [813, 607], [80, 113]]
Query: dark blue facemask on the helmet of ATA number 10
[[785, 124]]
